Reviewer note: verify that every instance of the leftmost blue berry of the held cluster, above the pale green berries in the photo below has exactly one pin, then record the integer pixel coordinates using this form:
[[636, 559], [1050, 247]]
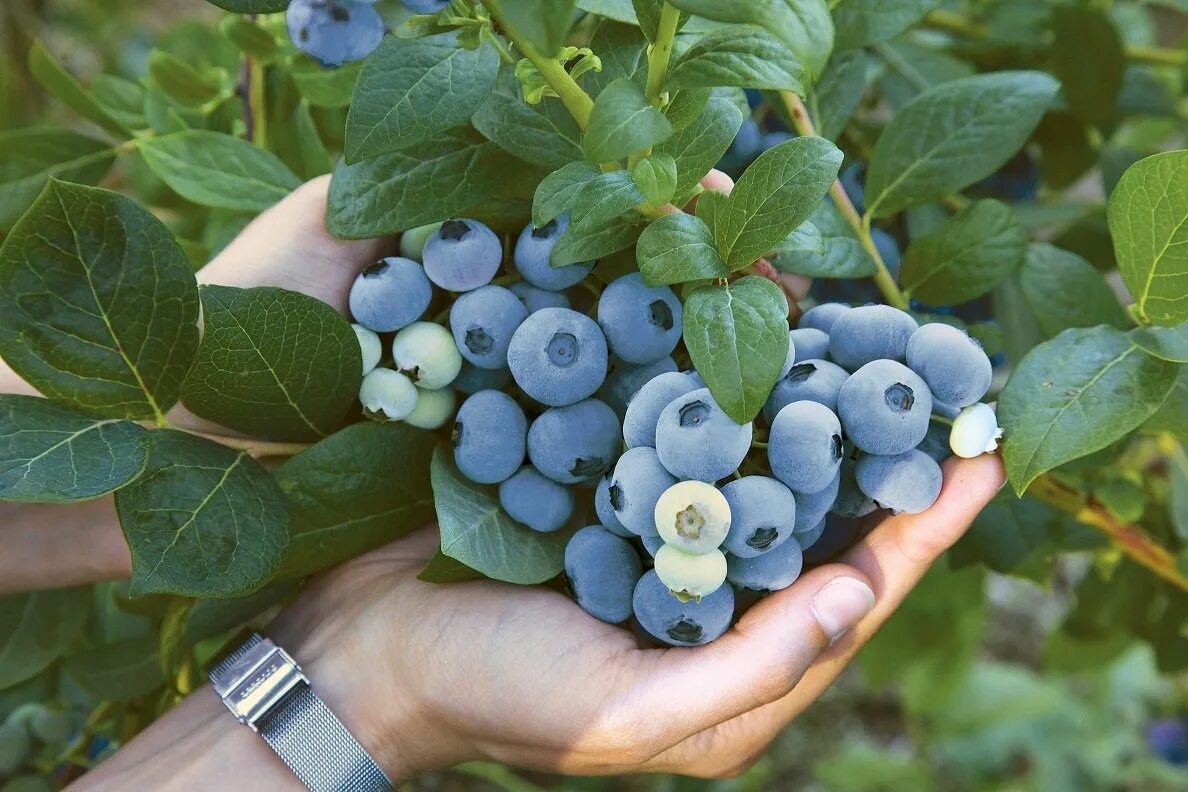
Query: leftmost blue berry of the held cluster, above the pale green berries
[[389, 295]]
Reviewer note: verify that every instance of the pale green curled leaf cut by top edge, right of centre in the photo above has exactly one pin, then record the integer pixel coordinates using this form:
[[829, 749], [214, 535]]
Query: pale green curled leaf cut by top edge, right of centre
[[804, 26]]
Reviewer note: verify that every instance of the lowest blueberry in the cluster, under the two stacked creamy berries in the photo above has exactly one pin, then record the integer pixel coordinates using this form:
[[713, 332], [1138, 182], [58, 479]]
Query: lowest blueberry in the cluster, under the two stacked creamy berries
[[681, 624]]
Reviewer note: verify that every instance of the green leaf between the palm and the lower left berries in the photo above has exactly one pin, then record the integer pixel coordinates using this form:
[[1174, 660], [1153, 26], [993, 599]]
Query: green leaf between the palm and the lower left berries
[[477, 533]]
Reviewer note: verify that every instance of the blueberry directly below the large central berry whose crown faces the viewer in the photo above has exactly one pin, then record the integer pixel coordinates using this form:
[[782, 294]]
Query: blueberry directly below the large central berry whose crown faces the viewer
[[574, 443]]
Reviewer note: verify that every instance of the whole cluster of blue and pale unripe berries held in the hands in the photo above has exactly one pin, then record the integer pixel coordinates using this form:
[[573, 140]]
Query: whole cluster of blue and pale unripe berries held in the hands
[[573, 395]]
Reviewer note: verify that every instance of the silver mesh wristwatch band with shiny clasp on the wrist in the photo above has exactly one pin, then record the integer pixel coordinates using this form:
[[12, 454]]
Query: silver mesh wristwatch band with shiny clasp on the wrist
[[266, 689]]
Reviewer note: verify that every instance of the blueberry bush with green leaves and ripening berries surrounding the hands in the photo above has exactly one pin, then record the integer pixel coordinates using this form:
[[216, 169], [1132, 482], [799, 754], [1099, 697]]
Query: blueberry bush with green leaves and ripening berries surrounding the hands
[[957, 229]]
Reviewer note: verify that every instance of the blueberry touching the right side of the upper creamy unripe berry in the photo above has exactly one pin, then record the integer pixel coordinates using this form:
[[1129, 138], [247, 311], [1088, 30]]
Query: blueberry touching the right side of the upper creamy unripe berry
[[763, 516]]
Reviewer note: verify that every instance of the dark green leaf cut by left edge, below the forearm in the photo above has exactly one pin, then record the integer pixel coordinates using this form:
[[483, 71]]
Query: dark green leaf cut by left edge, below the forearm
[[36, 629]]
